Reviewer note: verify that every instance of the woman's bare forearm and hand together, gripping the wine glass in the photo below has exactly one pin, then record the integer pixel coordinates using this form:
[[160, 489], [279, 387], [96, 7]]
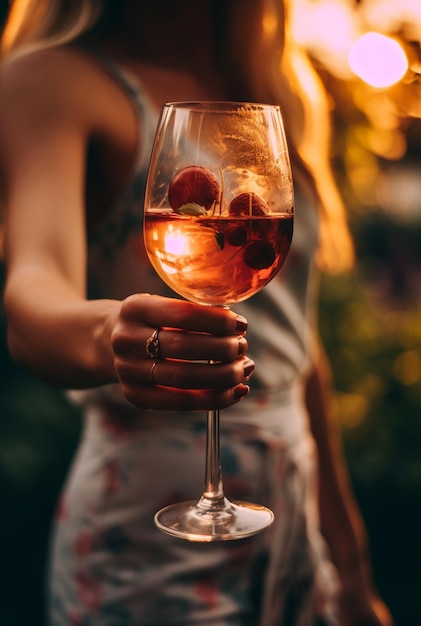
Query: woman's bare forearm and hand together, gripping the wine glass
[[74, 343]]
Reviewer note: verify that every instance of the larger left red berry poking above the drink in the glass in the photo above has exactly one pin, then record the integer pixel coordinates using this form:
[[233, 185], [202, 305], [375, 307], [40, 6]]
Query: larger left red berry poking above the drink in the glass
[[193, 184]]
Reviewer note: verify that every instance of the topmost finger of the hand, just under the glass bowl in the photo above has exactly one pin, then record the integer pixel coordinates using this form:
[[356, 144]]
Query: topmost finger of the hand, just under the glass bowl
[[158, 311]]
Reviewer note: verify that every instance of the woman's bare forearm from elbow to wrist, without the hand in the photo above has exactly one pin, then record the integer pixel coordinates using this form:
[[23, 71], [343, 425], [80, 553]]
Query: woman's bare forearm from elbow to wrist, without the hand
[[57, 334]]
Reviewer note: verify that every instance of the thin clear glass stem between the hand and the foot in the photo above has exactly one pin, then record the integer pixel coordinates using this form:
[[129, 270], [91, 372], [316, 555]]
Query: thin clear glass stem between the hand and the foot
[[213, 475]]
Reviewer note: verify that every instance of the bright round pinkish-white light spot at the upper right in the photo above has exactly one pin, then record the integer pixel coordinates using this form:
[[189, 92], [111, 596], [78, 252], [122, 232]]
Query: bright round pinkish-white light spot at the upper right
[[378, 60]]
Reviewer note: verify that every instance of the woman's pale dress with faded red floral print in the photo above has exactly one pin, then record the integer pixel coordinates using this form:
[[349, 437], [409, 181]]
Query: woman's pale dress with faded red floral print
[[110, 566]]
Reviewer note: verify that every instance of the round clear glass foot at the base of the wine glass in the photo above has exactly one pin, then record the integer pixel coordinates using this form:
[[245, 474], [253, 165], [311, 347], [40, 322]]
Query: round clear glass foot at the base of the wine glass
[[213, 521]]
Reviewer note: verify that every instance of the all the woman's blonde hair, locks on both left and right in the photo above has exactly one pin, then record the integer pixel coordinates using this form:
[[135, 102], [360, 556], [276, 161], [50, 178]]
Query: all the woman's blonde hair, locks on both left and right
[[272, 69]]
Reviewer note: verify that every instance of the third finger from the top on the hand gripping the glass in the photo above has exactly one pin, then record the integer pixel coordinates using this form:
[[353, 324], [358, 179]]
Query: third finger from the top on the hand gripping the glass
[[184, 374]]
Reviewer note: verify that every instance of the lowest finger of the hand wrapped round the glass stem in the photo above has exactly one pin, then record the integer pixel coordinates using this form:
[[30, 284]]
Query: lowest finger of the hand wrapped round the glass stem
[[169, 399]]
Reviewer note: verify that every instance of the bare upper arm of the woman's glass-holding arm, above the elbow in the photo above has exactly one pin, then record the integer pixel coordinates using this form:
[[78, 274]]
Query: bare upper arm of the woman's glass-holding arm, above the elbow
[[43, 137]]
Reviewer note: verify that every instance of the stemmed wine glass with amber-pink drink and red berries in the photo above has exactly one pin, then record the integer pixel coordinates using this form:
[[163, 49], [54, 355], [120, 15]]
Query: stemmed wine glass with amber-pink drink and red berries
[[217, 227]]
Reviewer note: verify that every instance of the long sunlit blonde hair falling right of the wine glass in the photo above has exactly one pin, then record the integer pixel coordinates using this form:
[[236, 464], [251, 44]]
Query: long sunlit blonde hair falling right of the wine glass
[[278, 71]]
